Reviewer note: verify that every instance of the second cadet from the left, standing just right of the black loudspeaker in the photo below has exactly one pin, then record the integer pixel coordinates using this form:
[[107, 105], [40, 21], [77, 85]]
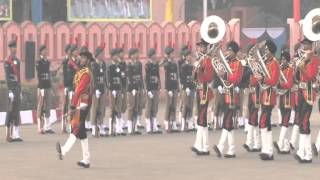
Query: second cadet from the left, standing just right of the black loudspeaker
[[44, 92]]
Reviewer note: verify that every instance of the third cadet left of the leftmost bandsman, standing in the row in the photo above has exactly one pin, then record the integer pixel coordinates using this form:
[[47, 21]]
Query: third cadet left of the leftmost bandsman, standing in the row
[[153, 84]]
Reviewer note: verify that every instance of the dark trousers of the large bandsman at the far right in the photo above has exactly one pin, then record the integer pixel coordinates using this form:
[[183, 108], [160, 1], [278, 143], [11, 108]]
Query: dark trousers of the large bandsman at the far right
[[305, 110]]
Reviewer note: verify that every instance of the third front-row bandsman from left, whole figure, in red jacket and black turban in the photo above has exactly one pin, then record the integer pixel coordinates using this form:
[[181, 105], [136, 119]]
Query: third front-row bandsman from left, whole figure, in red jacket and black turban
[[268, 97]]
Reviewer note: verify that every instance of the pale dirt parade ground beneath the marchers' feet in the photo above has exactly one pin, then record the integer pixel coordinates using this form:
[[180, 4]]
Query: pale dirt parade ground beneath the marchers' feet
[[165, 156]]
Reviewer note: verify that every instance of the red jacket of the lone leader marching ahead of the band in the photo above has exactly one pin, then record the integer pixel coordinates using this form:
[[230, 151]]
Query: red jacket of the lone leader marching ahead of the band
[[83, 87]]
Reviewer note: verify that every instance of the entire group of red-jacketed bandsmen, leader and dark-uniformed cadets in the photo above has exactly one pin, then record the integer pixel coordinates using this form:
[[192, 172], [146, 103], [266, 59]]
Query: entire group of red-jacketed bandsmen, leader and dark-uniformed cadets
[[217, 89]]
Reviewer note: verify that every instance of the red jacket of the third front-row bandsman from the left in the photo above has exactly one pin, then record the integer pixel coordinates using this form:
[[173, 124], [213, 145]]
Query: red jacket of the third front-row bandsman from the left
[[269, 95]]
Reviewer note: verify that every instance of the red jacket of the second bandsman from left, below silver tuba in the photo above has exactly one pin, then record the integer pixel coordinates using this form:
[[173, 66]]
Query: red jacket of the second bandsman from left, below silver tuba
[[231, 97]]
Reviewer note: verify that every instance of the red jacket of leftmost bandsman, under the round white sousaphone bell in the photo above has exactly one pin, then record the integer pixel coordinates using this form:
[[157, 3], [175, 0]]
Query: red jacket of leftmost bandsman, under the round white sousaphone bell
[[204, 76]]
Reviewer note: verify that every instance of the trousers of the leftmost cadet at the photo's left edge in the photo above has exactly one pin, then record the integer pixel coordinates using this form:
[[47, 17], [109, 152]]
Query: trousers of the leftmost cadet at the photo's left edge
[[13, 113]]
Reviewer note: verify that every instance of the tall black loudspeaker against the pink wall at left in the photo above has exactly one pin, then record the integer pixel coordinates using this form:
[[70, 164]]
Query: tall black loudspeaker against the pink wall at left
[[30, 55]]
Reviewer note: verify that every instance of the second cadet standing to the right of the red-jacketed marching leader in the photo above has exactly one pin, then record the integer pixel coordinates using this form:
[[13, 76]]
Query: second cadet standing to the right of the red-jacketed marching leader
[[114, 86]]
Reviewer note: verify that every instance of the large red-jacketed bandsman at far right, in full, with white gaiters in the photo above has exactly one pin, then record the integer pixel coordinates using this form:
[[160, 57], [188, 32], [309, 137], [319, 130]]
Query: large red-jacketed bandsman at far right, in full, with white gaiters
[[308, 70]]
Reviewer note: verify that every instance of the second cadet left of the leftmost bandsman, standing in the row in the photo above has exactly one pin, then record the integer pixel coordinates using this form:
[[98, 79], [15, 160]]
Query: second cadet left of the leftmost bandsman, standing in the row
[[171, 85]]
